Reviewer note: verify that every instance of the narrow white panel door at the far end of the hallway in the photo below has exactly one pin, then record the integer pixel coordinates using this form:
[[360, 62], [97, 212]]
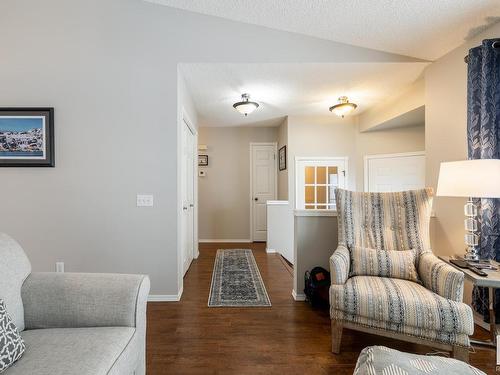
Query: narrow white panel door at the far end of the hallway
[[262, 186]]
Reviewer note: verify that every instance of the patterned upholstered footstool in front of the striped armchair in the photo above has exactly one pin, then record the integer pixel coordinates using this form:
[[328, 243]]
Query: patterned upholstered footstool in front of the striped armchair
[[375, 360]]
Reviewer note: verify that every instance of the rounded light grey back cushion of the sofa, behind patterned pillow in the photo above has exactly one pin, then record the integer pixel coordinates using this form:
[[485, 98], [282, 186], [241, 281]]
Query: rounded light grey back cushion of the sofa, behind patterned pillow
[[14, 268]]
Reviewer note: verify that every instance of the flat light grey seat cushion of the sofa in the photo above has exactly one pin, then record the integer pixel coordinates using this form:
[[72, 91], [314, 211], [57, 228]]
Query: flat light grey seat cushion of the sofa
[[82, 351]]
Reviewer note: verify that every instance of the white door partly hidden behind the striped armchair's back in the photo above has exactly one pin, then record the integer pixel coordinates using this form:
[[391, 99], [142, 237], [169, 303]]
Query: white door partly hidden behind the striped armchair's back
[[395, 172]]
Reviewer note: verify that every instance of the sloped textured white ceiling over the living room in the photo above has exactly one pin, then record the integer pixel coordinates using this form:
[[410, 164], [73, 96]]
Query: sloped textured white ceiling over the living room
[[420, 28]]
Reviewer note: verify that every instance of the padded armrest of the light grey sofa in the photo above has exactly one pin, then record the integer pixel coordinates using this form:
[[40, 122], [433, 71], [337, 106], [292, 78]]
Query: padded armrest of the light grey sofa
[[72, 300]]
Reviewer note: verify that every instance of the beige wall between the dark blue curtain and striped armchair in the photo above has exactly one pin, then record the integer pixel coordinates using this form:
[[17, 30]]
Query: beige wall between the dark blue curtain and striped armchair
[[446, 140]]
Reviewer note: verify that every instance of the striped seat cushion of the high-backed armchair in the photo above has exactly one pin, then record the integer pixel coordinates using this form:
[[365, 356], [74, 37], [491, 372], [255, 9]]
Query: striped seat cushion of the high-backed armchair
[[399, 303]]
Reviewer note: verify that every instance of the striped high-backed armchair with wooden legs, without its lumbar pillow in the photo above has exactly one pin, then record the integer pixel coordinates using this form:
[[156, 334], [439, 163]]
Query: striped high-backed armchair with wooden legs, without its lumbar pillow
[[429, 312]]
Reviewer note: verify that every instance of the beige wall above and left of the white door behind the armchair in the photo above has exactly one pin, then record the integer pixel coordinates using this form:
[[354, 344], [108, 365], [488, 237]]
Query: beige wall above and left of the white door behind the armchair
[[389, 141]]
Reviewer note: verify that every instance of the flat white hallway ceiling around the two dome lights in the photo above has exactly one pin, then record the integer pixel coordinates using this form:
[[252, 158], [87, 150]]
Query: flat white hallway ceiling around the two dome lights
[[291, 89]]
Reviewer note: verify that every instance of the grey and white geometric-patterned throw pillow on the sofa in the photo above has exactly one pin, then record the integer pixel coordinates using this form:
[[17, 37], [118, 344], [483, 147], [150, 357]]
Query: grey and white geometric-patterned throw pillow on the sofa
[[11, 343]]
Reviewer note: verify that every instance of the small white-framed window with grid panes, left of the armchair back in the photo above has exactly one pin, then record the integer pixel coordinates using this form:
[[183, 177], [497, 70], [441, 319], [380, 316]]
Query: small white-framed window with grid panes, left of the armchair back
[[316, 180]]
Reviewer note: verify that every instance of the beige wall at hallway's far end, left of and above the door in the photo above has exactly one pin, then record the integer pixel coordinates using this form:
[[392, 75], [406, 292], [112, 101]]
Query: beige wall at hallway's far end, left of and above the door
[[224, 193]]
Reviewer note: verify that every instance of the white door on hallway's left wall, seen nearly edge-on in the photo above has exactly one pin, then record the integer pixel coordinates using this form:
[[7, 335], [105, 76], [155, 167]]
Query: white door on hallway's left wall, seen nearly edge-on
[[188, 176]]
